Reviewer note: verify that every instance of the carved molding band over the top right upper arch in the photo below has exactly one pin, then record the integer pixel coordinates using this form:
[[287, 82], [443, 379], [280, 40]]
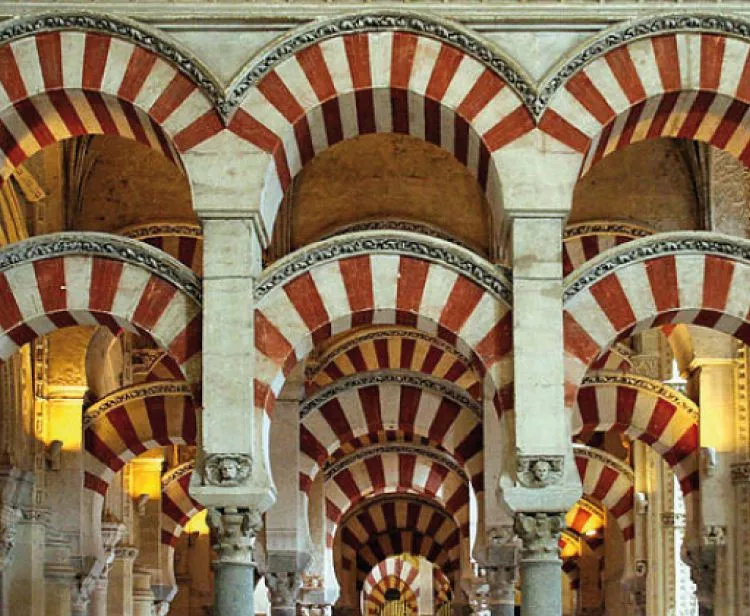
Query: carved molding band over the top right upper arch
[[623, 34]]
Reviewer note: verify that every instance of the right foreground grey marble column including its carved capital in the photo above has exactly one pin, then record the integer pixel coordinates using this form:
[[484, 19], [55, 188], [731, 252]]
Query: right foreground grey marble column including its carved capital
[[541, 581]]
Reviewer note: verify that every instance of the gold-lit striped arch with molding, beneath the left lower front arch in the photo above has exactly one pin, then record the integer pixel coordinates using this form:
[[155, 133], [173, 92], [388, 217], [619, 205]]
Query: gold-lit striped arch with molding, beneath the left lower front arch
[[131, 421]]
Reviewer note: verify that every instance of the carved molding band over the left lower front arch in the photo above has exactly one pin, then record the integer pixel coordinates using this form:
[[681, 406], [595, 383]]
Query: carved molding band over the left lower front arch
[[104, 245]]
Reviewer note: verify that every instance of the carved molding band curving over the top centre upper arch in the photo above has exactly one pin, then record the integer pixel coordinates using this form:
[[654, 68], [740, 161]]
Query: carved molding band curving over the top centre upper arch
[[387, 20]]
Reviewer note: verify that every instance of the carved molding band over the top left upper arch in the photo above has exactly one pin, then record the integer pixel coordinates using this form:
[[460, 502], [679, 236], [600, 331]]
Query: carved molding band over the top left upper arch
[[121, 27]]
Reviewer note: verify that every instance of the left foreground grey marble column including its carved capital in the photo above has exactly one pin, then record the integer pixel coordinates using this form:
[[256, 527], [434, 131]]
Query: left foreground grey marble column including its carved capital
[[235, 530]]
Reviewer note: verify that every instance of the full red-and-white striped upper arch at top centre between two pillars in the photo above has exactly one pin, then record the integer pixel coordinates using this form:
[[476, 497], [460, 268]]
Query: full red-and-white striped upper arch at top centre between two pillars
[[377, 82]]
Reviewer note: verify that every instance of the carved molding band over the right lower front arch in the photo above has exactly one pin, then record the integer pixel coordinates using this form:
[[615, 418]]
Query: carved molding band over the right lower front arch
[[654, 246]]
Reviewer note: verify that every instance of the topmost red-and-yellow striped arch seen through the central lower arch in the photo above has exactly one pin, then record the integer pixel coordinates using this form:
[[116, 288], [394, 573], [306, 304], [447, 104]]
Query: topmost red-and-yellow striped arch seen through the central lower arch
[[395, 349]]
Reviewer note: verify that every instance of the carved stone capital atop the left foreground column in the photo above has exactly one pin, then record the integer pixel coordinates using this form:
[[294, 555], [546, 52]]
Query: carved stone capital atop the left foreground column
[[234, 531]]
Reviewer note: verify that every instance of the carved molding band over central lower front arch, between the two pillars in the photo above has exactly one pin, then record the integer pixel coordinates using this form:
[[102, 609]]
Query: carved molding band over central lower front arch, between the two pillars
[[403, 243]]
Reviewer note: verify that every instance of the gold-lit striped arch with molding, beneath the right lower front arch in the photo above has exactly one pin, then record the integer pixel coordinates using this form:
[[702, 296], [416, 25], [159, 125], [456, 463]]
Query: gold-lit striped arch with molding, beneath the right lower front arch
[[645, 410]]
